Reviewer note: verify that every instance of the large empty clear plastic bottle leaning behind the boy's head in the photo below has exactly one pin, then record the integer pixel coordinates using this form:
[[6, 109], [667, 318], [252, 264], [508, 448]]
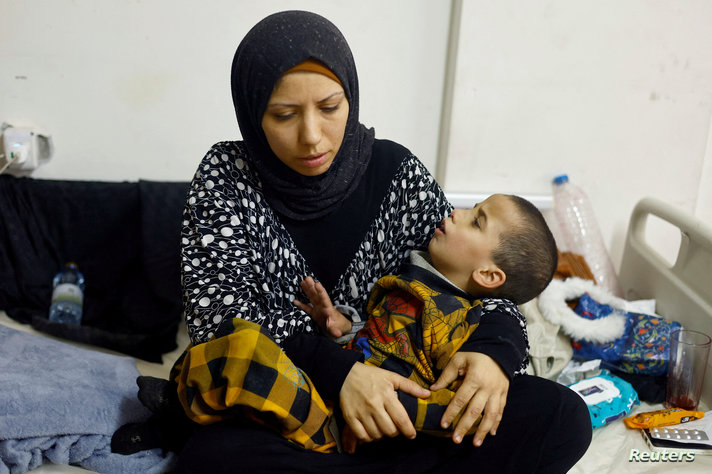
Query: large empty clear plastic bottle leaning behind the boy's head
[[580, 232]]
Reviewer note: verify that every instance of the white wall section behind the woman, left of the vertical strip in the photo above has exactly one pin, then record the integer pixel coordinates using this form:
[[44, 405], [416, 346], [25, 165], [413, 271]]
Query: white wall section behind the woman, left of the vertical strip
[[141, 89]]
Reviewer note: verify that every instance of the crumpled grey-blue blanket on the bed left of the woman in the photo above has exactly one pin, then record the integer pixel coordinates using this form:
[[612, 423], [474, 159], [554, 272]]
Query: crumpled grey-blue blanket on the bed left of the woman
[[62, 403]]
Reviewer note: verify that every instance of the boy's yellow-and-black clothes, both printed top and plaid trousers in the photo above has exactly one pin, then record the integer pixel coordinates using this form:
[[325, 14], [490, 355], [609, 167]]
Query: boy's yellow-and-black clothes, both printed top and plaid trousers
[[412, 330]]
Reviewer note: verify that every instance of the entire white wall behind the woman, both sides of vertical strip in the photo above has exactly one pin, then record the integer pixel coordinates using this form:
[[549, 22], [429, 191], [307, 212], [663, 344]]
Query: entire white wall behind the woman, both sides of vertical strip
[[618, 94]]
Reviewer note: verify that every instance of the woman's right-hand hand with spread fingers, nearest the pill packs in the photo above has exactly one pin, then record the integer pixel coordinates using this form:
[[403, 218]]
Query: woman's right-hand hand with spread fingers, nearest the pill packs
[[484, 389]]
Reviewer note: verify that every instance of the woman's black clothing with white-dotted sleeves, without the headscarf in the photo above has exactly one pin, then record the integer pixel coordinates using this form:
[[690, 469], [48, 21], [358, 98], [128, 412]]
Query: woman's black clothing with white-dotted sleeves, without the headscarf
[[242, 259]]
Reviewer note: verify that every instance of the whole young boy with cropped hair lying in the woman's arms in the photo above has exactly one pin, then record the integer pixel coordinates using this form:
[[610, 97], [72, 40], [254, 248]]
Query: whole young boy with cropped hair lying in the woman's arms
[[486, 259]]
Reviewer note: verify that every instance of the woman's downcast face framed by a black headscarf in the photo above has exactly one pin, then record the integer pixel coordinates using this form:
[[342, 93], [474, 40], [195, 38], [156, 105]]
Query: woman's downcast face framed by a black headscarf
[[305, 121]]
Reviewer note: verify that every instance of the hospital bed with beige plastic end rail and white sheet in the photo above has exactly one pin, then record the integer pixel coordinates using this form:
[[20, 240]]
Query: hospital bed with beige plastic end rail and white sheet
[[683, 292]]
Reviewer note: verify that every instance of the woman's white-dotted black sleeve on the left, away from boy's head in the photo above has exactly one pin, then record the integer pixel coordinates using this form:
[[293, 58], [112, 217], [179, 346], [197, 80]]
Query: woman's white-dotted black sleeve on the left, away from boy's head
[[237, 261]]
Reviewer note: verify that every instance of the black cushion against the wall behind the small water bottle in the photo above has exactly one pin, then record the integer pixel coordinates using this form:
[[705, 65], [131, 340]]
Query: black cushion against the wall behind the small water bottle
[[125, 239]]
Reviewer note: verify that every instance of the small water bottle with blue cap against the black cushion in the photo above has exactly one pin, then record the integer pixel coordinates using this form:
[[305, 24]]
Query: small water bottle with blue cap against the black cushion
[[67, 296]]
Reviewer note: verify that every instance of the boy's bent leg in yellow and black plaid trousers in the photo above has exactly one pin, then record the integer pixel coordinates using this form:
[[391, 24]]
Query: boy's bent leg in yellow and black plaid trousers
[[246, 374]]
